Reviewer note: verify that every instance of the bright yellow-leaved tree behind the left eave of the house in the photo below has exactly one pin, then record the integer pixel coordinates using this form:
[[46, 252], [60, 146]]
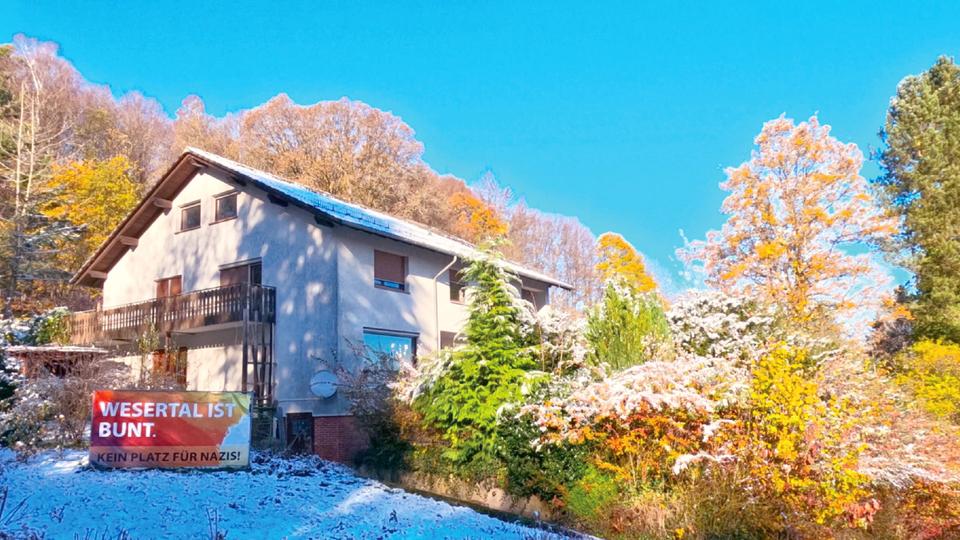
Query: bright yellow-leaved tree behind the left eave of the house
[[94, 195]]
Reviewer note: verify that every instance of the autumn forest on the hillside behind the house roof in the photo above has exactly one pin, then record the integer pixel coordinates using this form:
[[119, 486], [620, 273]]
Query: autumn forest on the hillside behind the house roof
[[82, 157]]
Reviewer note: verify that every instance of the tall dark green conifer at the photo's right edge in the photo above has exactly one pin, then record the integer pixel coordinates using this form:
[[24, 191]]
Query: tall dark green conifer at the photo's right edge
[[921, 185]]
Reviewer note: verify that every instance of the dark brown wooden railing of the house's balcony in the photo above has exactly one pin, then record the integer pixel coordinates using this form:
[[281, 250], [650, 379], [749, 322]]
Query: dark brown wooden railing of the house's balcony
[[192, 310]]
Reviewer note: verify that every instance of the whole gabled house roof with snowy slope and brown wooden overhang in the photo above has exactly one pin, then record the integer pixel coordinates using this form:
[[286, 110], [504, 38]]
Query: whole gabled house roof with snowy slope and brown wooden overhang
[[325, 207]]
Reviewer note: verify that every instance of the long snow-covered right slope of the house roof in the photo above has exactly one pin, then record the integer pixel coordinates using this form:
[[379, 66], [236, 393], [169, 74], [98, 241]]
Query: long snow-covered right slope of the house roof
[[363, 218]]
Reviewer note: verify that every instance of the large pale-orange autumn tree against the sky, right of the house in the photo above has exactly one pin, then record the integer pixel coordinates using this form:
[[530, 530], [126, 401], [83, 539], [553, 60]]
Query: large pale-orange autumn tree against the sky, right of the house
[[793, 209]]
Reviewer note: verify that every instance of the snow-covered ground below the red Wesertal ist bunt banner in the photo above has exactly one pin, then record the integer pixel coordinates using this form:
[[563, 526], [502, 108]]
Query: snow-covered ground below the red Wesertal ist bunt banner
[[276, 498]]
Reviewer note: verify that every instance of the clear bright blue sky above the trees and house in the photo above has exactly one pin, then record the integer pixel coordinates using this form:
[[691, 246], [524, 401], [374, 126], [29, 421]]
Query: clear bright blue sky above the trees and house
[[622, 114]]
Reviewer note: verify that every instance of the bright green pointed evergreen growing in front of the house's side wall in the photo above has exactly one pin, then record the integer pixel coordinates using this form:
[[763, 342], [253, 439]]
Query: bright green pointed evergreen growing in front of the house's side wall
[[484, 374]]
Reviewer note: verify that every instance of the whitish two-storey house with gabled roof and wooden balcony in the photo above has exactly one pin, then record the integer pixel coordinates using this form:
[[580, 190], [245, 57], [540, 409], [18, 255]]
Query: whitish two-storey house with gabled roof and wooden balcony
[[252, 283]]
